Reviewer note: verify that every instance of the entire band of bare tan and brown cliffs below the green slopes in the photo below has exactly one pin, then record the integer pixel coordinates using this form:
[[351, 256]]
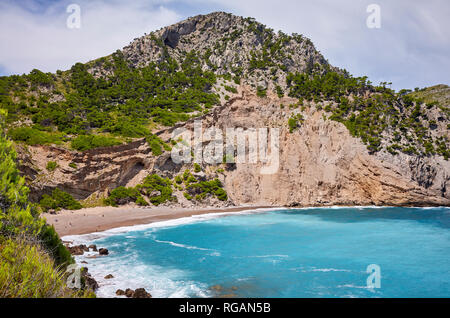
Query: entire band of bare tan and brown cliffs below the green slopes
[[320, 164]]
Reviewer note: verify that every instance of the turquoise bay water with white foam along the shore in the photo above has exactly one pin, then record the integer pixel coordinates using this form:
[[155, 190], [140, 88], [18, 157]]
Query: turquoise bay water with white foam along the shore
[[320, 252]]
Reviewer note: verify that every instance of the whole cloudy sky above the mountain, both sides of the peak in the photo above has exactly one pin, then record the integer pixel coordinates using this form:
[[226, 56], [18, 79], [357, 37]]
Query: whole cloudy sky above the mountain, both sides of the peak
[[410, 49]]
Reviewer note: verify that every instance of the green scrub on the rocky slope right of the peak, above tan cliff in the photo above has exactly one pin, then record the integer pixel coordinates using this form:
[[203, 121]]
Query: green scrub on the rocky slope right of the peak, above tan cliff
[[382, 118]]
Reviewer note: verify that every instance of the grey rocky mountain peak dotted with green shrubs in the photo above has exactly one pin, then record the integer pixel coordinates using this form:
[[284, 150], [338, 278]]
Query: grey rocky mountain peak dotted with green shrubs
[[227, 44]]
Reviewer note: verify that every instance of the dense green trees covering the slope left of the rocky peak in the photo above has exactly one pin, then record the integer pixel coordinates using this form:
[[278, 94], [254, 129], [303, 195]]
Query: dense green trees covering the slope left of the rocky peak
[[80, 103]]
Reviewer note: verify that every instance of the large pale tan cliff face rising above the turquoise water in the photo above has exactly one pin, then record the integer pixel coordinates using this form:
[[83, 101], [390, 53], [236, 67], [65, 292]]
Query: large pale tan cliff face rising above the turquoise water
[[322, 164]]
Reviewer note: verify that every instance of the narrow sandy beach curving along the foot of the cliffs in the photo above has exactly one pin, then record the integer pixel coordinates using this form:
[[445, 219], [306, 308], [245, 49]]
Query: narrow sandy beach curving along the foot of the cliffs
[[99, 219]]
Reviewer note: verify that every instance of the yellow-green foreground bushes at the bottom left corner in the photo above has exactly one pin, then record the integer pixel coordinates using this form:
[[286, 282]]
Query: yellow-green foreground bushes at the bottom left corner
[[32, 257]]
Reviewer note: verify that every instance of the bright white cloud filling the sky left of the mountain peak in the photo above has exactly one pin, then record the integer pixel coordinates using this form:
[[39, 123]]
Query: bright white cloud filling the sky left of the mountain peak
[[43, 40]]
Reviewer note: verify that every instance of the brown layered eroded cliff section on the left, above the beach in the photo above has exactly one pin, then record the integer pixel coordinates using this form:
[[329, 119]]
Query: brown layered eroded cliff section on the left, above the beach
[[94, 170]]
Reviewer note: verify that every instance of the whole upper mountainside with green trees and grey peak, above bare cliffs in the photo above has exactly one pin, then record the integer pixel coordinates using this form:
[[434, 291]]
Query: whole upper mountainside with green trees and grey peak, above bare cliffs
[[157, 81]]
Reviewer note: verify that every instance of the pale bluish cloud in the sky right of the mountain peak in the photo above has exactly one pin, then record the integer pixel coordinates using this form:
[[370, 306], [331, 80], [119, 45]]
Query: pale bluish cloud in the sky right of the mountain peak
[[412, 48]]
